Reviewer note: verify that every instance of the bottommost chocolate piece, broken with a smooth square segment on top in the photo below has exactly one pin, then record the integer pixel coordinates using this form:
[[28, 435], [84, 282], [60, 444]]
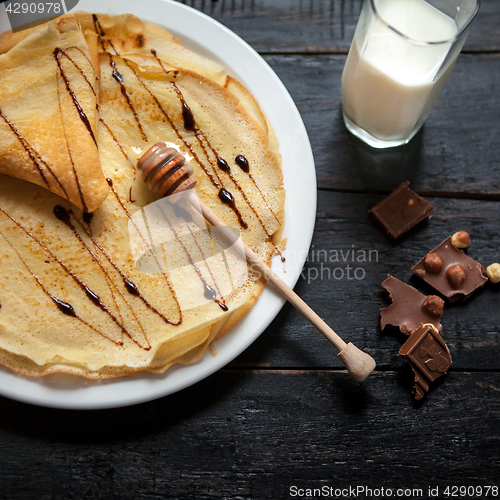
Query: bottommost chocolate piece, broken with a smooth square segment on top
[[428, 356]]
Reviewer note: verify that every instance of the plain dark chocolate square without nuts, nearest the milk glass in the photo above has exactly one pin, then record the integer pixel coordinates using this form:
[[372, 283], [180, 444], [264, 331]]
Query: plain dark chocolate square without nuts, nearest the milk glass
[[400, 211]]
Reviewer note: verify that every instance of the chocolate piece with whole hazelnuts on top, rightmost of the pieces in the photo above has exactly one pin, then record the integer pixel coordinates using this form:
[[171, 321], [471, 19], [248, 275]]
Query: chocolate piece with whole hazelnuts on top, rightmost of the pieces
[[452, 273]]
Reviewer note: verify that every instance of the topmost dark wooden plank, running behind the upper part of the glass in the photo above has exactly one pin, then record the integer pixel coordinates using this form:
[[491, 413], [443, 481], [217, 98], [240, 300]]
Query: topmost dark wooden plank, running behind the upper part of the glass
[[326, 26]]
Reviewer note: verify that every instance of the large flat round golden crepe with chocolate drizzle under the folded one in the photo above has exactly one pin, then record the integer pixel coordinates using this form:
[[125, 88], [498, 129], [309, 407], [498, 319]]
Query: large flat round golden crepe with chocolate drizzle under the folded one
[[71, 296]]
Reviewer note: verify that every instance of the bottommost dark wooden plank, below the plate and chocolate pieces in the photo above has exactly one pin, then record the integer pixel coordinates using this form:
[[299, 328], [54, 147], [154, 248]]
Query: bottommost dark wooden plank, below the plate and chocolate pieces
[[253, 435]]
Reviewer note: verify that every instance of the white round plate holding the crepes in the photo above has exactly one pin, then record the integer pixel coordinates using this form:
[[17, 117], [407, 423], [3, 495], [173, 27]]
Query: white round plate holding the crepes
[[211, 39]]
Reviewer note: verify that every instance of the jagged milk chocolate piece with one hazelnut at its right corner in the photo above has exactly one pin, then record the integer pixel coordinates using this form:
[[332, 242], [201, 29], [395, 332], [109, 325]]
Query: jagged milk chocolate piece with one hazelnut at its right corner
[[409, 308]]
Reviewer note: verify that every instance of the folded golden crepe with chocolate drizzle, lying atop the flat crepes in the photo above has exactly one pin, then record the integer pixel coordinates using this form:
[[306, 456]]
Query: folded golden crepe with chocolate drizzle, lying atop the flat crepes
[[48, 115]]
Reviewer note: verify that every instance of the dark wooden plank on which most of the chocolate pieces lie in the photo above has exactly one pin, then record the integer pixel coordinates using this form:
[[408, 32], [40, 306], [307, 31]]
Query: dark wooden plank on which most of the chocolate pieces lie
[[352, 306]]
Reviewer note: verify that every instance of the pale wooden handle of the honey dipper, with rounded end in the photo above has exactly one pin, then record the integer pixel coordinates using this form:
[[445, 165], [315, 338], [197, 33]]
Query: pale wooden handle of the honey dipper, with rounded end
[[358, 363]]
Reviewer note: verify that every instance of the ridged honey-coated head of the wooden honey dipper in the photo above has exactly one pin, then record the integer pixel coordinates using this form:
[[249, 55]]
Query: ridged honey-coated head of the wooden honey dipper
[[165, 171]]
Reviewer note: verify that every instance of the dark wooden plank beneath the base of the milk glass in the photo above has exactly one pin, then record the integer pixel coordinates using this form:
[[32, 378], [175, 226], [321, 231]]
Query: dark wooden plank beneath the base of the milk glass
[[458, 150]]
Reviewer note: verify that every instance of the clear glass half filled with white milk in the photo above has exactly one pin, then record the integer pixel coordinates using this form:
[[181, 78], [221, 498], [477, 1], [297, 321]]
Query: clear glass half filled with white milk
[[401, 56]]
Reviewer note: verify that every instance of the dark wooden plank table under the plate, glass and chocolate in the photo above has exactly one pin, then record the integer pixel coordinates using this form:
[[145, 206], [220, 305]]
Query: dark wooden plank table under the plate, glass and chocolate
[[285, 414]]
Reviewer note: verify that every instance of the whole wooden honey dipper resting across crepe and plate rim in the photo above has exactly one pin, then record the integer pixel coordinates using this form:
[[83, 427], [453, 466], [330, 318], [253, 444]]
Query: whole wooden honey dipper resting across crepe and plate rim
[[165, 172]]
